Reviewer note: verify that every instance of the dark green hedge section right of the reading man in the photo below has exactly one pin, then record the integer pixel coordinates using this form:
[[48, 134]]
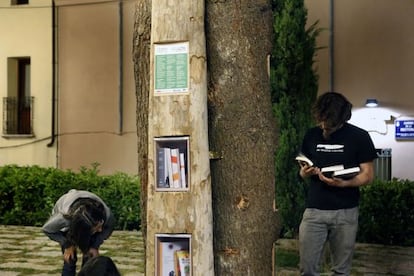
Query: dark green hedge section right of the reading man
[[387, 213]]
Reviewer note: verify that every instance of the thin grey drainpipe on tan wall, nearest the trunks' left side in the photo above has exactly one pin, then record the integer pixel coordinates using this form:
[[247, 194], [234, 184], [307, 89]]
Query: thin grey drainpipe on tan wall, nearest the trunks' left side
[[121, 68]]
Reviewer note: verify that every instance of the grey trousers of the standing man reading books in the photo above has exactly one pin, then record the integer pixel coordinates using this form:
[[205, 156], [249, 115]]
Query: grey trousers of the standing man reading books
[[339, 228]]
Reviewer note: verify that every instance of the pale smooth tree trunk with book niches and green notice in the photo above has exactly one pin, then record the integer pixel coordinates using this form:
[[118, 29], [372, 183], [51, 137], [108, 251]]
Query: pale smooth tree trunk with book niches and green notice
[[173, 117]]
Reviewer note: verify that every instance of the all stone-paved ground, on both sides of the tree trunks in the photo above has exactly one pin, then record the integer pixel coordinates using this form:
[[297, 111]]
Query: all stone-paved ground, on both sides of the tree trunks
[[27, 251]]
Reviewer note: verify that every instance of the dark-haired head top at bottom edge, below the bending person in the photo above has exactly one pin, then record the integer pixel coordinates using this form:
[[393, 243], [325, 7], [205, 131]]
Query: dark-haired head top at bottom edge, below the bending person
[[99, 266]]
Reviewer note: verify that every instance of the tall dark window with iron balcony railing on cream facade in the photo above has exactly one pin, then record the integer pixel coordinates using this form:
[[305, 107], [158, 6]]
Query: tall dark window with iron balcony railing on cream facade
[[17, 106]]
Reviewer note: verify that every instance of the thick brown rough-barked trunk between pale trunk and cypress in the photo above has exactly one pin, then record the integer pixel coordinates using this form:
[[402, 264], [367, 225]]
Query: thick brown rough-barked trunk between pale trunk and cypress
[[242, 131]]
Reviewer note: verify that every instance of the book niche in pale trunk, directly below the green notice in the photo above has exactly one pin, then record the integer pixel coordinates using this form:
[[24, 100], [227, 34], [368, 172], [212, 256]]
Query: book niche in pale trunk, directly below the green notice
[[171, 163]]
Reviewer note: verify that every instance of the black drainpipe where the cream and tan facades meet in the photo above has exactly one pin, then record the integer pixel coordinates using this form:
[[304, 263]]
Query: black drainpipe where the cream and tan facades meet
[[52, 141]]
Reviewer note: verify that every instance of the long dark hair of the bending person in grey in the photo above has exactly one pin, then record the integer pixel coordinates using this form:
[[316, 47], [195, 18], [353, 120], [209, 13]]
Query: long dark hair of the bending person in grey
[[83, 214]]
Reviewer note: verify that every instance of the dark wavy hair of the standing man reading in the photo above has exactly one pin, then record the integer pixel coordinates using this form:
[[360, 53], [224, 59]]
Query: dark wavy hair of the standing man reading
[[332, 108]]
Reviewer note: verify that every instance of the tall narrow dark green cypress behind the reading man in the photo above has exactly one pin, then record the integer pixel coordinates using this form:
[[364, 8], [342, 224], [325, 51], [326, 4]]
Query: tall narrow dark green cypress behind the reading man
[[294, 88]]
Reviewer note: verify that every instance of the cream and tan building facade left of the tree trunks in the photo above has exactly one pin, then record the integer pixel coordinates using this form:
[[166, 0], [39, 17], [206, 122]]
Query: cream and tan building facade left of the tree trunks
[[67, 84]]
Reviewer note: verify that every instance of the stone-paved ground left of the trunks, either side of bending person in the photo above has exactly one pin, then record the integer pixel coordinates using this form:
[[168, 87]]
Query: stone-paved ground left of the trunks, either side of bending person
[[27, 251]]
